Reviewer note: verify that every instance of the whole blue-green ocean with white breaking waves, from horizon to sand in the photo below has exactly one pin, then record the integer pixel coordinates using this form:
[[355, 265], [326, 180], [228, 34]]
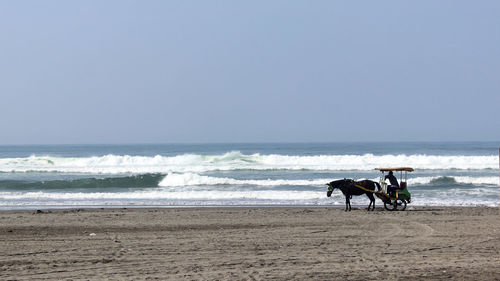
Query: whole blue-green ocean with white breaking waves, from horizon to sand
[[250, 174]]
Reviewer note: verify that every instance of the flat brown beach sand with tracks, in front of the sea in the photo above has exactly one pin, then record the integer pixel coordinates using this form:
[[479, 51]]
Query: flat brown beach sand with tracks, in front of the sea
[[251, 244]]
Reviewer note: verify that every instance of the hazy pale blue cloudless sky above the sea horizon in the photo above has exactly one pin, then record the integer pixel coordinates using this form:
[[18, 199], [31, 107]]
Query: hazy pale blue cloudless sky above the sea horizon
[[246, 71]]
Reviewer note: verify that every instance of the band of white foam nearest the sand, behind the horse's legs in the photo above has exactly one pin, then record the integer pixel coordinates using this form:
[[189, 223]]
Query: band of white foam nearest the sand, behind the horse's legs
[[166, 196]]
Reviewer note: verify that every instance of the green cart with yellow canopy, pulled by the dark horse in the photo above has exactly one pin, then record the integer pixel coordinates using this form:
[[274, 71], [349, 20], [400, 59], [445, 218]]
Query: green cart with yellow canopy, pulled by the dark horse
[[397, 199]]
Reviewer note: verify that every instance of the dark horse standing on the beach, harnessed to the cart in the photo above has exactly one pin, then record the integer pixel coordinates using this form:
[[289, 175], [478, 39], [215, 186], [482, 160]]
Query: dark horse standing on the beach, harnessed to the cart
[[348, 188]]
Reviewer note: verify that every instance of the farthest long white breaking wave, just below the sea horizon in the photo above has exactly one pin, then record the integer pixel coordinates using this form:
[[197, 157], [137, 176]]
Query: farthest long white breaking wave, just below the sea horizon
[[195, 163]]
